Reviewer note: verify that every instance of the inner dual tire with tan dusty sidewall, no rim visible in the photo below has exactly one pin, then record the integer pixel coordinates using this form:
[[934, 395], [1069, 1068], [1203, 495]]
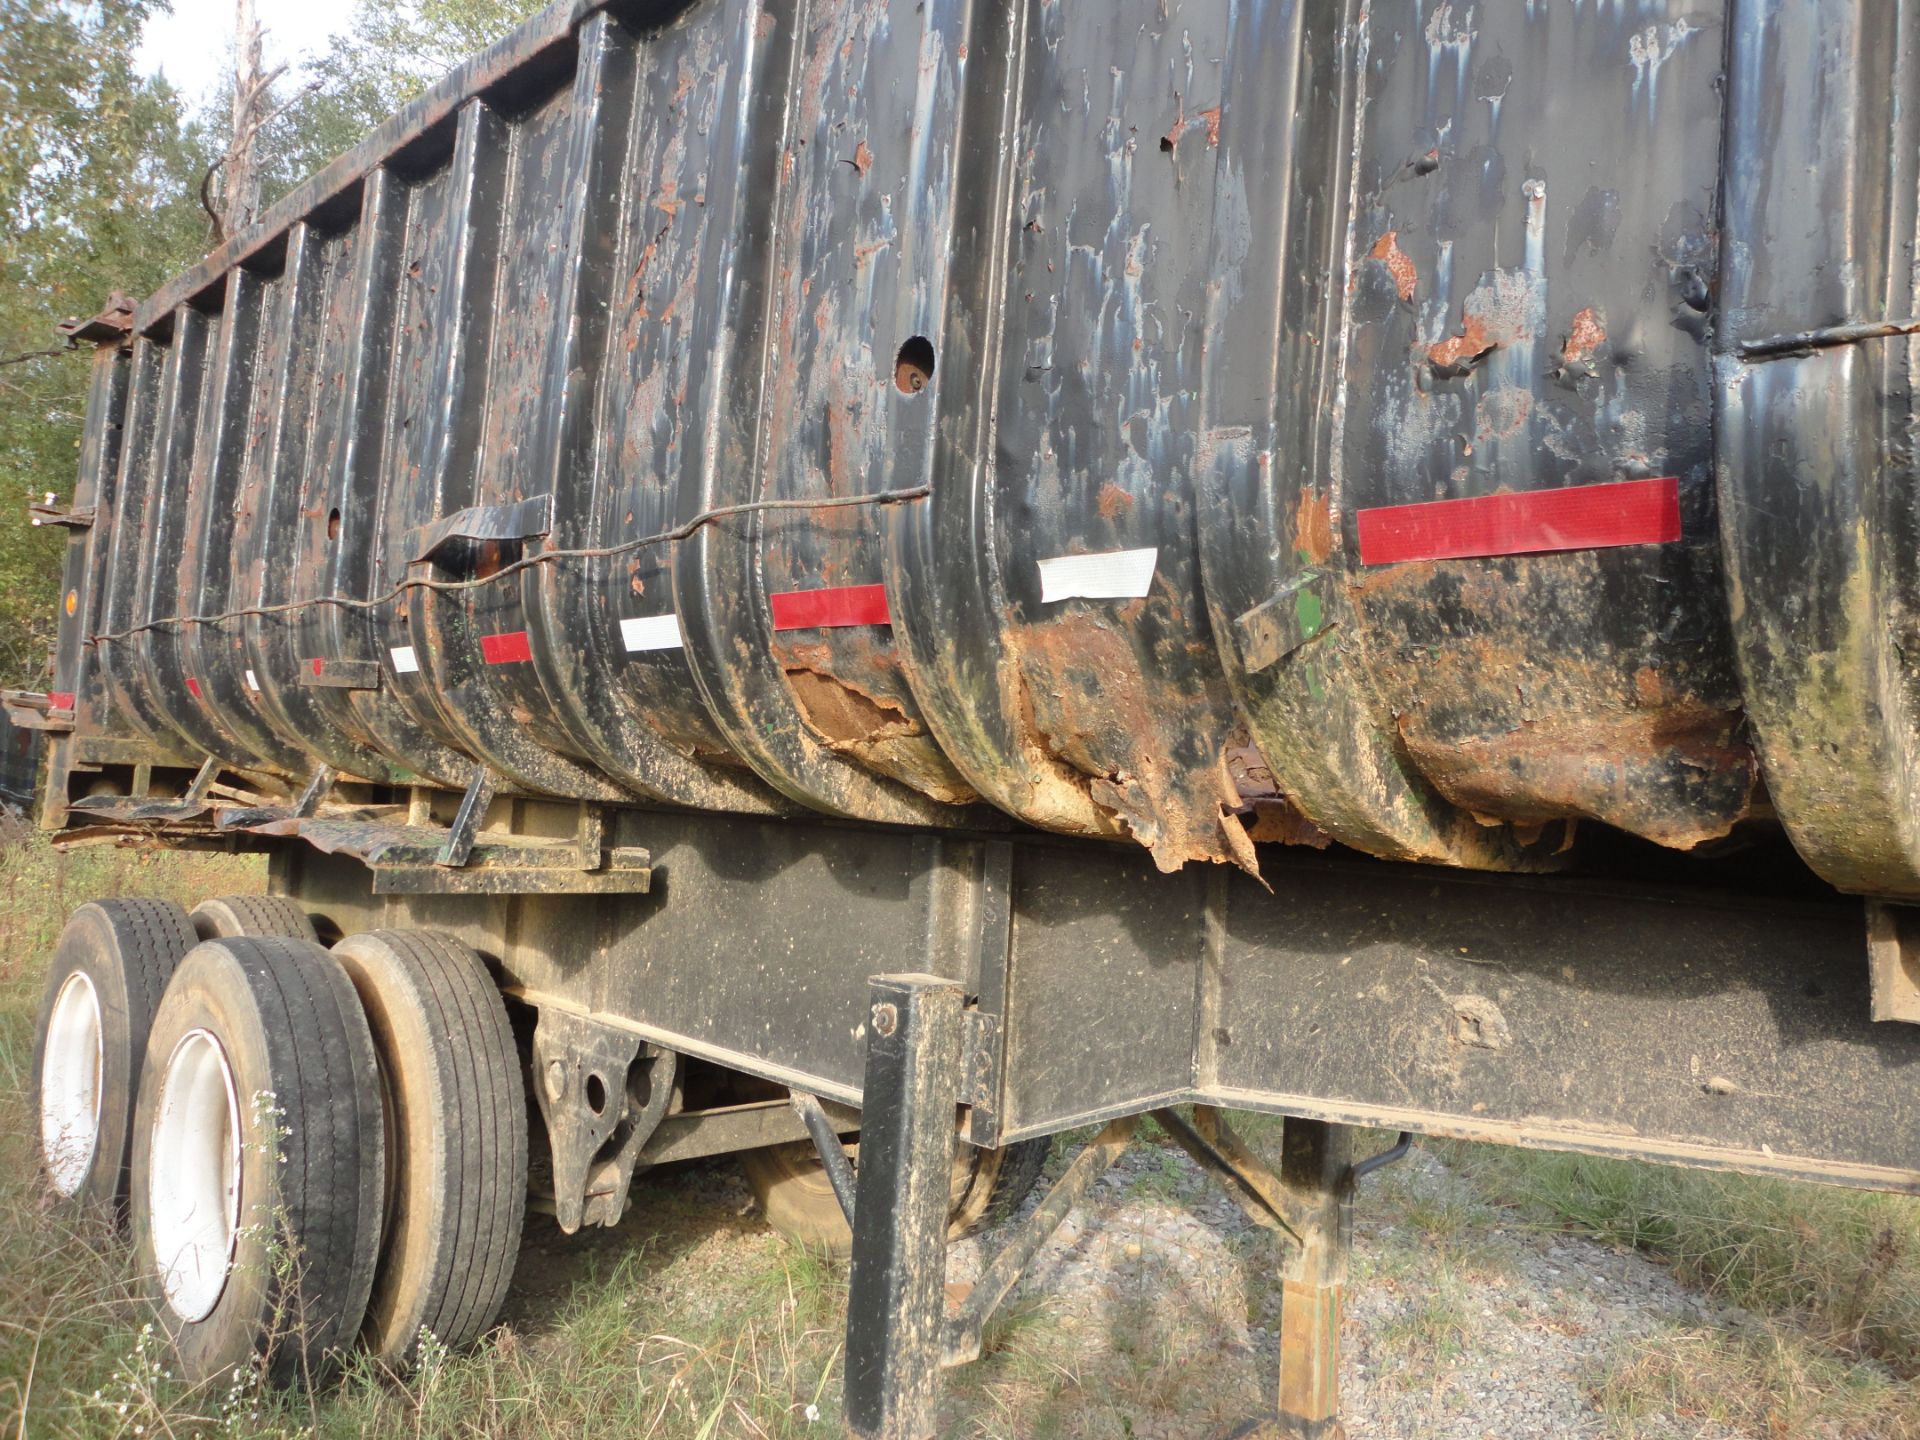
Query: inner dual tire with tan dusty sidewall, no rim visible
[[456, 1138]]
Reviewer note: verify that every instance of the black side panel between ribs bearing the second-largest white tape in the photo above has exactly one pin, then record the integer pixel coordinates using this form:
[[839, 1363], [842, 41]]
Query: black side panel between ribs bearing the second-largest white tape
[[656, 195]]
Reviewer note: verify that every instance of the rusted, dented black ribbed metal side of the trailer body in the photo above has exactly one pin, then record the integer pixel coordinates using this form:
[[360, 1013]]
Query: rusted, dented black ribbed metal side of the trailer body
[[923, 410]]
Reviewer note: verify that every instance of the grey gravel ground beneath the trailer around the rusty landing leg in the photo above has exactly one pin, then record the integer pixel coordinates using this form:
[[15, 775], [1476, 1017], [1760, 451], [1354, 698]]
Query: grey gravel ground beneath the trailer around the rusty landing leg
[[1460, 1324]]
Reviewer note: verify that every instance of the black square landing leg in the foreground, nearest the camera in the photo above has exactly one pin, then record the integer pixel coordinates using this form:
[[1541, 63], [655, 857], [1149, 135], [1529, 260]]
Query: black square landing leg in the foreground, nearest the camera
[[898, 1291]]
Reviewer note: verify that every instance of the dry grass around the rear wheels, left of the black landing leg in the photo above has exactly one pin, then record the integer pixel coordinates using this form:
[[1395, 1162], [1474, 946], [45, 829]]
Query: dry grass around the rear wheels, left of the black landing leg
[[688, 1322]]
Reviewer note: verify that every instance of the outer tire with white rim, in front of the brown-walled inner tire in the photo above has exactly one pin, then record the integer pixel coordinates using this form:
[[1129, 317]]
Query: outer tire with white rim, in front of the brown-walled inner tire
[[258, 1161]]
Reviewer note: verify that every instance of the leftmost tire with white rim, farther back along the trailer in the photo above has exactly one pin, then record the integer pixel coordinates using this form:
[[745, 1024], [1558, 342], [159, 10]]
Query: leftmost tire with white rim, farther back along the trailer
[[108, 972]]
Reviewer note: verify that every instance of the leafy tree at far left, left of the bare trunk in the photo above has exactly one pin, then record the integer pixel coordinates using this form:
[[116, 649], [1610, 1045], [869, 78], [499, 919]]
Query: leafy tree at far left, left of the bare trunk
[[97, 176]]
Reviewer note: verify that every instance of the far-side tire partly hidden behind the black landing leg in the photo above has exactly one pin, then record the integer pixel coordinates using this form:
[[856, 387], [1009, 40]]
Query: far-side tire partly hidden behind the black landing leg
[[798, 1199]]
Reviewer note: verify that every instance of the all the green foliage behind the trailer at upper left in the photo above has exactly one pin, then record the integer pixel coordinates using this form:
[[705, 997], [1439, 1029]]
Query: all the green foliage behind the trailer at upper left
[[101, 187]]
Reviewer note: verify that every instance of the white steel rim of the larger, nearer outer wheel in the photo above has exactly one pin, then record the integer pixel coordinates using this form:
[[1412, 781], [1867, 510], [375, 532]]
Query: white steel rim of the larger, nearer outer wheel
[[195, 1176]]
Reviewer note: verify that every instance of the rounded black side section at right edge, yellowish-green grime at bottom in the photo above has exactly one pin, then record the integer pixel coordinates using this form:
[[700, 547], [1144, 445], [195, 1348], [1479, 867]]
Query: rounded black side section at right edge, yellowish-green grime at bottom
[[1817, 425]]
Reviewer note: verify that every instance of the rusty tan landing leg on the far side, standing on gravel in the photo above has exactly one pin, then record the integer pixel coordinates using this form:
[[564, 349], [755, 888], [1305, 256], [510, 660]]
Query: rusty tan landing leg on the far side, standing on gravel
[[1316, 1172]]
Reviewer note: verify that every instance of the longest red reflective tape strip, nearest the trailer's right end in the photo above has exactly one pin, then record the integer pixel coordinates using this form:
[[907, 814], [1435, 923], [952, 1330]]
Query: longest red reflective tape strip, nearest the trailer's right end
[[1575, 517]]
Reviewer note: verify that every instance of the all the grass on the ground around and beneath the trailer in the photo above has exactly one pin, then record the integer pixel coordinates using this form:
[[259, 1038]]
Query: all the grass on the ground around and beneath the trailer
[[692, 1322]]
